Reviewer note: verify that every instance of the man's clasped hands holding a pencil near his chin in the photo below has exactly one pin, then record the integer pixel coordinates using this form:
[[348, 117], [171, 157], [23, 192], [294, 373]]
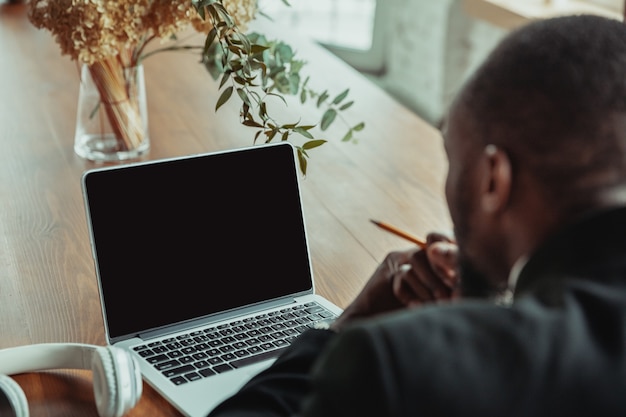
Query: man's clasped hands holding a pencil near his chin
[[407, 279]]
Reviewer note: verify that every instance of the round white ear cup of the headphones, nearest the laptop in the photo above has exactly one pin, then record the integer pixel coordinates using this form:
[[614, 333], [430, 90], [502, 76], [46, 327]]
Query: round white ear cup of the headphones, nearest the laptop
[[117, 381]]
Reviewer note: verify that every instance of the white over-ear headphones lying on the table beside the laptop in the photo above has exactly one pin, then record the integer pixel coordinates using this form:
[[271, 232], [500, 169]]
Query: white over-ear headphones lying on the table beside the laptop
[[117, 379]]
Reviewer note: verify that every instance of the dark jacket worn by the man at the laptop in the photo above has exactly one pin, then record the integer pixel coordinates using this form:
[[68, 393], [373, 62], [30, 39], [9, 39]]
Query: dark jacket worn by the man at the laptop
[[558, 350]]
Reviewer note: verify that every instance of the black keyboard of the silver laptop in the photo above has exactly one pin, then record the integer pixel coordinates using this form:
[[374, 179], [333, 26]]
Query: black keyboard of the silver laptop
[[203, 353]]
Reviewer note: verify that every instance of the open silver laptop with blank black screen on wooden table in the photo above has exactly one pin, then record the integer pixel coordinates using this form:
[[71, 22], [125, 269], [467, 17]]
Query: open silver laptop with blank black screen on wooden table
[[203, 267]]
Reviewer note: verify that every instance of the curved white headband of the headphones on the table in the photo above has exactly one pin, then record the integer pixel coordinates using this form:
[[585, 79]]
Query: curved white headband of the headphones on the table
[[42, 356]]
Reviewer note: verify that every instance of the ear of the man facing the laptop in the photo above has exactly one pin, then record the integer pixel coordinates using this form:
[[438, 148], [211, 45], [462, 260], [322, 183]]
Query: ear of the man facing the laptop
[[497, 179]]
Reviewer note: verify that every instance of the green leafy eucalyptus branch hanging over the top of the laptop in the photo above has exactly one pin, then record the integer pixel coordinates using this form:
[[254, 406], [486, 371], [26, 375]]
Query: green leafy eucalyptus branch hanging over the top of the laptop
[[257, 69]]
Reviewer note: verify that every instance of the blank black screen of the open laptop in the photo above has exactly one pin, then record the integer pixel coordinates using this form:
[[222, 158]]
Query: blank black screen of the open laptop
[[181, 239]]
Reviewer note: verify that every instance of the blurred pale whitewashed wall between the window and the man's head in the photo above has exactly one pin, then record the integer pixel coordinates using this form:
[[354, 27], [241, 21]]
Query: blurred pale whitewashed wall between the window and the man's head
[[433, 46]]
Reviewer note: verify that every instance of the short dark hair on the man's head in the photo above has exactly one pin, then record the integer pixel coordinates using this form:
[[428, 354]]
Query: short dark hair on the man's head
[[553, 95]]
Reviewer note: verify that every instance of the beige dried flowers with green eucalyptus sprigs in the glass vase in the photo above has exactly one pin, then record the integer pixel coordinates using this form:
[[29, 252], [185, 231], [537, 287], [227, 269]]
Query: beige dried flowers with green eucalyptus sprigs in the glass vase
[[110, 37]]
